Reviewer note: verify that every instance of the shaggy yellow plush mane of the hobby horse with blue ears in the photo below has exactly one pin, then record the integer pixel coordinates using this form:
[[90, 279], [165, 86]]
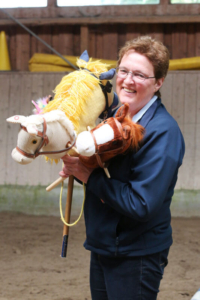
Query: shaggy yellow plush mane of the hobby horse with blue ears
[[79, 95]]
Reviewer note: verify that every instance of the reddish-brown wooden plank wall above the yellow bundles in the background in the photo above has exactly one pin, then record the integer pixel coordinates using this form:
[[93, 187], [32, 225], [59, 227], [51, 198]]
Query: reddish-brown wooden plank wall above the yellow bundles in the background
[[104, 41]]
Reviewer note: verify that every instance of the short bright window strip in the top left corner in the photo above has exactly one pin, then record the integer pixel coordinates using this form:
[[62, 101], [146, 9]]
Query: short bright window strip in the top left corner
[[23, 3]]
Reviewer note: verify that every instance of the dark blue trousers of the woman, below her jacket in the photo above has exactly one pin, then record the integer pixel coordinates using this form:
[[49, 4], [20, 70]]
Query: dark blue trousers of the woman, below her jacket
[[126, 278]]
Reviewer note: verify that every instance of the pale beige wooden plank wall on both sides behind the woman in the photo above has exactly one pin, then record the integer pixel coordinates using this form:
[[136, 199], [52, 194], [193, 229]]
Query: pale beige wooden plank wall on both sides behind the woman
[[180, 95]]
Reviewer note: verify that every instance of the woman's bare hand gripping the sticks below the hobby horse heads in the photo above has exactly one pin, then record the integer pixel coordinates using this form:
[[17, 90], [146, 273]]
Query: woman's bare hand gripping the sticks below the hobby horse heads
[[73, 166]]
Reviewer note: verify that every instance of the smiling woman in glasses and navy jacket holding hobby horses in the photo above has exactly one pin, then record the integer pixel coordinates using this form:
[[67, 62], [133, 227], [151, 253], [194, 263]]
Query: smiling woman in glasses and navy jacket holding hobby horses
[[129, 232]]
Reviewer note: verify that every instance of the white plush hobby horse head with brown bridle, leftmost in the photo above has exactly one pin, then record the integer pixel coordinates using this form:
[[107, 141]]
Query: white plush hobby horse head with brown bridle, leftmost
[[59, 131]]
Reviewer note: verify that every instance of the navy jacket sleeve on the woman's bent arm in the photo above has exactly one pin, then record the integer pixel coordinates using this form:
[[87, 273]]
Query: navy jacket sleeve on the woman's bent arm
[[153, 174]]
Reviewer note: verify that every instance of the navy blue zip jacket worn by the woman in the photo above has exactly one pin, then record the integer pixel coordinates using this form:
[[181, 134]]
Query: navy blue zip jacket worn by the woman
[[135, 217]]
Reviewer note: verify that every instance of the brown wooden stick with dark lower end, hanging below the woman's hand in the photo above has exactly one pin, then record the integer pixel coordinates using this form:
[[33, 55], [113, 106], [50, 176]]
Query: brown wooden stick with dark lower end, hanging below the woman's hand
[[67, 216]]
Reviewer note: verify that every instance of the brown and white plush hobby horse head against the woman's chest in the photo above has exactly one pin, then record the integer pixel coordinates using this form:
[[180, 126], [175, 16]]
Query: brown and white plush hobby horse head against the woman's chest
[[115, 135]]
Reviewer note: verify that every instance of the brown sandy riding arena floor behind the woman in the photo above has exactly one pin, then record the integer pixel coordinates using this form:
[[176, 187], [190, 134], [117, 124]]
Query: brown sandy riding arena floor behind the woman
[[31, 267]]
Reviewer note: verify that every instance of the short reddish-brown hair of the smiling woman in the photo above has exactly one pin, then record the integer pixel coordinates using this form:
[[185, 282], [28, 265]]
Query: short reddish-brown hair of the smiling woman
[[154, 50]]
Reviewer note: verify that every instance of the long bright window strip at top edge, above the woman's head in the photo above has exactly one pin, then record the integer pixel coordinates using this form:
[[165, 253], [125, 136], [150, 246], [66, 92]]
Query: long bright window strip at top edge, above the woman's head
[[104, 2]]
